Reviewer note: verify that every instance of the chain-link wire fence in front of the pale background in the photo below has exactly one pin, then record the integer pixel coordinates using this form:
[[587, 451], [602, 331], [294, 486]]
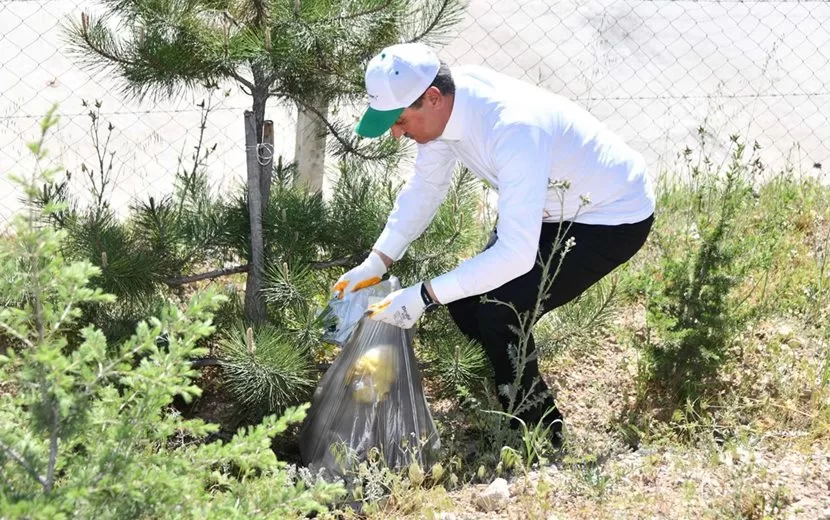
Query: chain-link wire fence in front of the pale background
[[656, 71]]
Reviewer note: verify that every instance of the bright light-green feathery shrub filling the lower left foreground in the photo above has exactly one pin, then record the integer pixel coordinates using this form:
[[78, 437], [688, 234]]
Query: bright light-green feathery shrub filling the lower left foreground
[[86, 432]]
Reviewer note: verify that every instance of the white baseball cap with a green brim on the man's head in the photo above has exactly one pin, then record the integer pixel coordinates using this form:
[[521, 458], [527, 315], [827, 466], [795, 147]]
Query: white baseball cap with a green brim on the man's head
[[395, 79]]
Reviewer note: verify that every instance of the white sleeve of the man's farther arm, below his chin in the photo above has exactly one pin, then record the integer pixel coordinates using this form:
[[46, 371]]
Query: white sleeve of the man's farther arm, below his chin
[[419, 199]]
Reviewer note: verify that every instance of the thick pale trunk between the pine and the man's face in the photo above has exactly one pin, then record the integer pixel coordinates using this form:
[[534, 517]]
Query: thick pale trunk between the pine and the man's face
[[310, 149]]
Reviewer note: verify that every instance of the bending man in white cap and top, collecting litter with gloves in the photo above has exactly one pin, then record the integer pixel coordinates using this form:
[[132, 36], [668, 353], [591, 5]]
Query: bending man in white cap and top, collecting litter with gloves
[[528, 144]]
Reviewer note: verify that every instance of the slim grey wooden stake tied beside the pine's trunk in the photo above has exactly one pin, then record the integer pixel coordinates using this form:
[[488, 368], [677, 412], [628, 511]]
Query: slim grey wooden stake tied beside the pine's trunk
[[254, 303]]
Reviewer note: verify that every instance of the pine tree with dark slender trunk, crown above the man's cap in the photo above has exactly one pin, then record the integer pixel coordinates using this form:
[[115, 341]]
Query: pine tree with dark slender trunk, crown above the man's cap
[[301, 50]]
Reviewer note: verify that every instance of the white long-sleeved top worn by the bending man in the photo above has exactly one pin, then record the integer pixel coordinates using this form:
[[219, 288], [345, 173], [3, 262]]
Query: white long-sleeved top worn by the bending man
[[523, 141]]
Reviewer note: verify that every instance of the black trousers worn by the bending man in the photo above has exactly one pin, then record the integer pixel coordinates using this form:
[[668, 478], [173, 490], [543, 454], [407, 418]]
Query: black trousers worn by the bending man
[[597, 251]]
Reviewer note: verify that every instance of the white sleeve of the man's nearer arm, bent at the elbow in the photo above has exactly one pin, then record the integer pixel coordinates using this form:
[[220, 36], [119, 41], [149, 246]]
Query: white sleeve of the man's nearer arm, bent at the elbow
[[523, 158]]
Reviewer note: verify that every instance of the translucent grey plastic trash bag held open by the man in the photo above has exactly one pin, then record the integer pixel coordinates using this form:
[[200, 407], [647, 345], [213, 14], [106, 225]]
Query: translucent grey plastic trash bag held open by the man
[[370, 398]]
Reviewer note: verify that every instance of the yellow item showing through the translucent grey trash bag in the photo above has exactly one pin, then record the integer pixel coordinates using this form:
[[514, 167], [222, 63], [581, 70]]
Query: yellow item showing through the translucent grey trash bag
[[372, 374]]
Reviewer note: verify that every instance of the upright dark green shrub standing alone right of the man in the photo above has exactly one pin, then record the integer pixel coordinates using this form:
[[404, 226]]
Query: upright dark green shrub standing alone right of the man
[[691, 311]]
